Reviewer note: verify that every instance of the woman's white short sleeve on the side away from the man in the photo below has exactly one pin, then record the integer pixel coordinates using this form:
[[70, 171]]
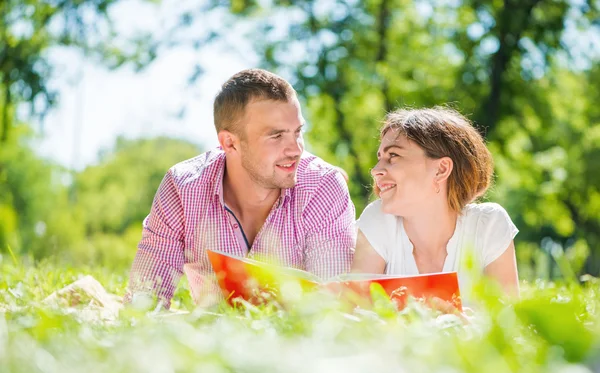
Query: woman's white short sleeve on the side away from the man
[[496, 230]]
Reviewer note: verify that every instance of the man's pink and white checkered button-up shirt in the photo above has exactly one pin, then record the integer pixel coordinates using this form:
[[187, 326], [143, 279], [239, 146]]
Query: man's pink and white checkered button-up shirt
[[311, 227]]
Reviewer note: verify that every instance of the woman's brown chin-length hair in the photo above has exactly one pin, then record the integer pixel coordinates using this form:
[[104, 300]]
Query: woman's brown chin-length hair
[[443, 132]]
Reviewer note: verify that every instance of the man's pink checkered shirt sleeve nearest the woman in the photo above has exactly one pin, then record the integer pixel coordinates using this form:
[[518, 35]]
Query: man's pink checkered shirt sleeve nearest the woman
[[329, 218]]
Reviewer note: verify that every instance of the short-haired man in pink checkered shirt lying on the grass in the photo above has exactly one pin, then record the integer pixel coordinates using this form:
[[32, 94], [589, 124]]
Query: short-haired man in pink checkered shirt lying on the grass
[[257, 195]]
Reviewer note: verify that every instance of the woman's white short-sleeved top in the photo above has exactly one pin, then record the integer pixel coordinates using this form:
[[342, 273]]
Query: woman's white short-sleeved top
[[485, 230]]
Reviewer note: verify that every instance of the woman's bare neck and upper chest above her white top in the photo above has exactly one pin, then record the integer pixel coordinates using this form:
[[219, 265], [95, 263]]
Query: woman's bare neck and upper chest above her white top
[[431, 229]]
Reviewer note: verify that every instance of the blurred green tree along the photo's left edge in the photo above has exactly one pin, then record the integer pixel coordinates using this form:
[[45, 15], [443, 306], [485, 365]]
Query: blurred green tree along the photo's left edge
[[34, 206]]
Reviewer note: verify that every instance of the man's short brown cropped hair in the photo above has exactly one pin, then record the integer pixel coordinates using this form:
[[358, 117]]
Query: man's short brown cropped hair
[[241, 89]]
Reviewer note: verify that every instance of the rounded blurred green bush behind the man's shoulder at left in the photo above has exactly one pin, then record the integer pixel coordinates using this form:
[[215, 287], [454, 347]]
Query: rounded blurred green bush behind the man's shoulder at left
[[120, 189]]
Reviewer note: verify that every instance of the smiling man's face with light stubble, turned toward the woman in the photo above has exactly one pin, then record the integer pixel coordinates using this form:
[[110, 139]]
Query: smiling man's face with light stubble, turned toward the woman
[[273, 145]]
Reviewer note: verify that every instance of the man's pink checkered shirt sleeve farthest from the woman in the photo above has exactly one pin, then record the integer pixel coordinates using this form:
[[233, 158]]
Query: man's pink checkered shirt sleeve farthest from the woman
[[158, 264]]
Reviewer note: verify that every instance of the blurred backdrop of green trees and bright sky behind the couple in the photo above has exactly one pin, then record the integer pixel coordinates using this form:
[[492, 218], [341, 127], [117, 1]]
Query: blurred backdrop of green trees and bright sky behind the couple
[[98, 98]]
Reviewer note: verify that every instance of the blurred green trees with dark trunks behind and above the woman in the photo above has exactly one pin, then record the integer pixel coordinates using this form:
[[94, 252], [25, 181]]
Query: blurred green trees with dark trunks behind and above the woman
[[508, 65]]
